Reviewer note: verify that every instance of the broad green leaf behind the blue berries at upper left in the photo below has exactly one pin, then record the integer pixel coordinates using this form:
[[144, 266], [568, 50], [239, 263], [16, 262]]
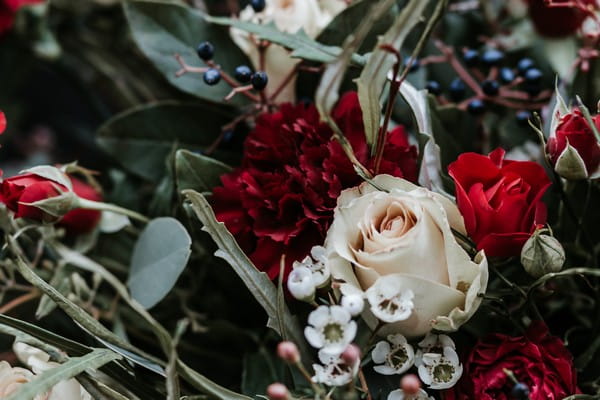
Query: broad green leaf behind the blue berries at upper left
[[162, 29]]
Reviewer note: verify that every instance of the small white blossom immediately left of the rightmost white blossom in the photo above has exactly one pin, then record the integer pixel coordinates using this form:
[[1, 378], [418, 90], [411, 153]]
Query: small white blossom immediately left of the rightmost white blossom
[[394, 354]]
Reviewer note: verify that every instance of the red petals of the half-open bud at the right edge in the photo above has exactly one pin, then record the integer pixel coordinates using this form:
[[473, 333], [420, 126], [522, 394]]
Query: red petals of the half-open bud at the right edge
[[575, 130]]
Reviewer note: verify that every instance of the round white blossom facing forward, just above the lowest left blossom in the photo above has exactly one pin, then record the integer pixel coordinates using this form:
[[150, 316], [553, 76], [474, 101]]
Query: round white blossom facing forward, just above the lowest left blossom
[[332, 329]]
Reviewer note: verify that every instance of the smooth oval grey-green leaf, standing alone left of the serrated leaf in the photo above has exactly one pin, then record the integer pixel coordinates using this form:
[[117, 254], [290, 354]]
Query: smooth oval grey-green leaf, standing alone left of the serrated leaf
[[159, 257]]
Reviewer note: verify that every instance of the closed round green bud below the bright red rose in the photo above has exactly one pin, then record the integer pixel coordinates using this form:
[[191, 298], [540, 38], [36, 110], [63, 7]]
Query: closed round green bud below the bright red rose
[[542, 254]]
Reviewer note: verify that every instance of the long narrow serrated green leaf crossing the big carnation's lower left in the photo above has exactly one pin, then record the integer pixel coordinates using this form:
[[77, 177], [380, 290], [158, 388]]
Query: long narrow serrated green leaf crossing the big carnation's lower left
[[258, 283]]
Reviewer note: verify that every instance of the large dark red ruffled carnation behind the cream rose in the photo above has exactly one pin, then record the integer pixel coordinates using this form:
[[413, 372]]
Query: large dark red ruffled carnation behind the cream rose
[[281, 200]]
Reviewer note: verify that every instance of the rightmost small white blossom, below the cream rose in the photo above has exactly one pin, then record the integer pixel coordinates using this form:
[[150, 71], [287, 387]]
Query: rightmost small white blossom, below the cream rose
[[438, 363]]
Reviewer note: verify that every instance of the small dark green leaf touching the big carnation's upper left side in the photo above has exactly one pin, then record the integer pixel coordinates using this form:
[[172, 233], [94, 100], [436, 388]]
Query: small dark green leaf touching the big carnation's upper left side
[[198, 172]]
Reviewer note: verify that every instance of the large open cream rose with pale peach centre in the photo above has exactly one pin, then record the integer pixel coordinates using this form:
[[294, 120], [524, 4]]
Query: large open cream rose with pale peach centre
[[396, 245]]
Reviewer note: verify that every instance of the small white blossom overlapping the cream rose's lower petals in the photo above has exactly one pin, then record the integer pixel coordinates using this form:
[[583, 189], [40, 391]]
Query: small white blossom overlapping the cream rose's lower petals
[[388, 302]]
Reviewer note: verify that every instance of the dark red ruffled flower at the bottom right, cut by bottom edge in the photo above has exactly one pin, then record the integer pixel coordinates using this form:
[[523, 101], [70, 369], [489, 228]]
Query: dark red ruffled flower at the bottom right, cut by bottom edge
[[538, 360]]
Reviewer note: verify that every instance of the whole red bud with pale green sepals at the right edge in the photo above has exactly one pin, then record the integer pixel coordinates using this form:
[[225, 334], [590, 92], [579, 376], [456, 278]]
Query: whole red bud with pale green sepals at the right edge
[[574, 149]]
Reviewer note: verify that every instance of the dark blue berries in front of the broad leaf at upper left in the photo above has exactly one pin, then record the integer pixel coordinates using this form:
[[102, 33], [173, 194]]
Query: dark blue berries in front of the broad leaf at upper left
[[243, 74]]
